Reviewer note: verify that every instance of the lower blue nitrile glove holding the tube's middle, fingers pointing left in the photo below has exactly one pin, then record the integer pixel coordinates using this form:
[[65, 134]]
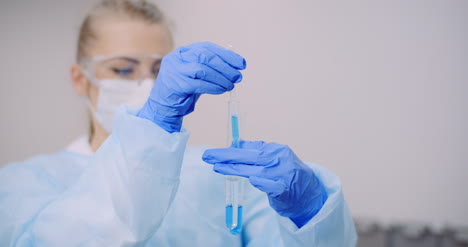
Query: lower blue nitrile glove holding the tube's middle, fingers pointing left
[[293, 189]]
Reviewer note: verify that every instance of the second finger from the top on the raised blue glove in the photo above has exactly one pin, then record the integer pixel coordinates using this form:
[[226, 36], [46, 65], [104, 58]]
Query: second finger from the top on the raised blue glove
[[212, 60]]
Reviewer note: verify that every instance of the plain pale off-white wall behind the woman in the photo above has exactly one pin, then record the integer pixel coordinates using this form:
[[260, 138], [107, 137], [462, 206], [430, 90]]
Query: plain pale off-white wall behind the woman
[[376, 91]]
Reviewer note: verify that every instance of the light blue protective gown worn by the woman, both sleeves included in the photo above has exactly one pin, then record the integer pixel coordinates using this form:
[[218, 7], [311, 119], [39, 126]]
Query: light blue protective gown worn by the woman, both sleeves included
[[144, 188]]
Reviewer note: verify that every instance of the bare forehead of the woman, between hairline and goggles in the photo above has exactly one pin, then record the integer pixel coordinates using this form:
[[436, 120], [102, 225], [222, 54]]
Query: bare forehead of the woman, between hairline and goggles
[[116, 36]]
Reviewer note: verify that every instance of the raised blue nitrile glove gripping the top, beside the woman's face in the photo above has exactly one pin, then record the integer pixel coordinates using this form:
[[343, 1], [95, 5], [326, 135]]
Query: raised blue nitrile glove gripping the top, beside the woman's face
[[185, 74]]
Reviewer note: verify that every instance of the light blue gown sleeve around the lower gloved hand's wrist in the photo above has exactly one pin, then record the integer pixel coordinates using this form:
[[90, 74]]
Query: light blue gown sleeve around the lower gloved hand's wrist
[[332, 226]]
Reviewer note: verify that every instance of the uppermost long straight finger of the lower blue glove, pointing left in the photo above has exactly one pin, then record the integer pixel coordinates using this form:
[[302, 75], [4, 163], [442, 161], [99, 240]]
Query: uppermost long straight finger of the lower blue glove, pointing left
[[235, 156]]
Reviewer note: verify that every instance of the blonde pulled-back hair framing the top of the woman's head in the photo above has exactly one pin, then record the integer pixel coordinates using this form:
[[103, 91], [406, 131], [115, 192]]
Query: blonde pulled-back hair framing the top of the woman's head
[[134, 9]]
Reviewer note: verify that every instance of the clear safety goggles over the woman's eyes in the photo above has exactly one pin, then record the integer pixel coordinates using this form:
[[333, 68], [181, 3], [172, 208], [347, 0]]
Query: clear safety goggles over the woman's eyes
[[122, 67]]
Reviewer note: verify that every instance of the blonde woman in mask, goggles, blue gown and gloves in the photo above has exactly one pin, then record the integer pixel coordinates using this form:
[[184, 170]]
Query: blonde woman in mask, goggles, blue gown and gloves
[[134, 183]]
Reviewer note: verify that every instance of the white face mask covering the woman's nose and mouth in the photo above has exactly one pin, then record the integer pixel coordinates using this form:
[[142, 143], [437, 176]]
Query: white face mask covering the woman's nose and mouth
[[116, 92]]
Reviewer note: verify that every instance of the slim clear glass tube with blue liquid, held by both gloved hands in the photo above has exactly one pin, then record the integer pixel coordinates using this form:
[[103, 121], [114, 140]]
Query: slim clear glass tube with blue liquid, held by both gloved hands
[[234, 184]]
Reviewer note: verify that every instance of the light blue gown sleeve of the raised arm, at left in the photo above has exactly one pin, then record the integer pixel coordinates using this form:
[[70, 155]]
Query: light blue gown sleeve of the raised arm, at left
[[120, 199]]
